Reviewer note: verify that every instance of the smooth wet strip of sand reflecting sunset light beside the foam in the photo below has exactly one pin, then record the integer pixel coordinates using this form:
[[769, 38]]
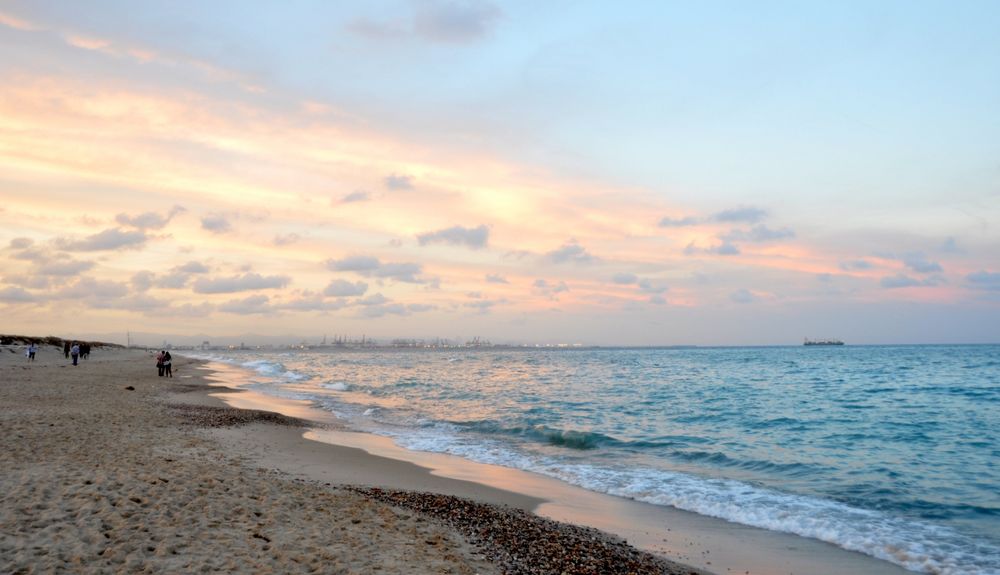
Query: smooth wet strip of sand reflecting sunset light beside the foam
[[702, 542]]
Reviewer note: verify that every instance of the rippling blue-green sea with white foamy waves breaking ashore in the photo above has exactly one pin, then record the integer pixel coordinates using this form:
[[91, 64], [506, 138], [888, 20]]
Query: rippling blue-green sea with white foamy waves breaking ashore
[[891, 451]]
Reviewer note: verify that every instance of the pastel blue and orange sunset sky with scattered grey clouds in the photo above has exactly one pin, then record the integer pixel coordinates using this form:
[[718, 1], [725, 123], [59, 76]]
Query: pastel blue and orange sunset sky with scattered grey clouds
[[601, 173]]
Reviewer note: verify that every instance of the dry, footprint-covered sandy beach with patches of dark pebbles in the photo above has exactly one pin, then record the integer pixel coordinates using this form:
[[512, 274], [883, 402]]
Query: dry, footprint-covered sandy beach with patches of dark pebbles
[[108, 468]]
